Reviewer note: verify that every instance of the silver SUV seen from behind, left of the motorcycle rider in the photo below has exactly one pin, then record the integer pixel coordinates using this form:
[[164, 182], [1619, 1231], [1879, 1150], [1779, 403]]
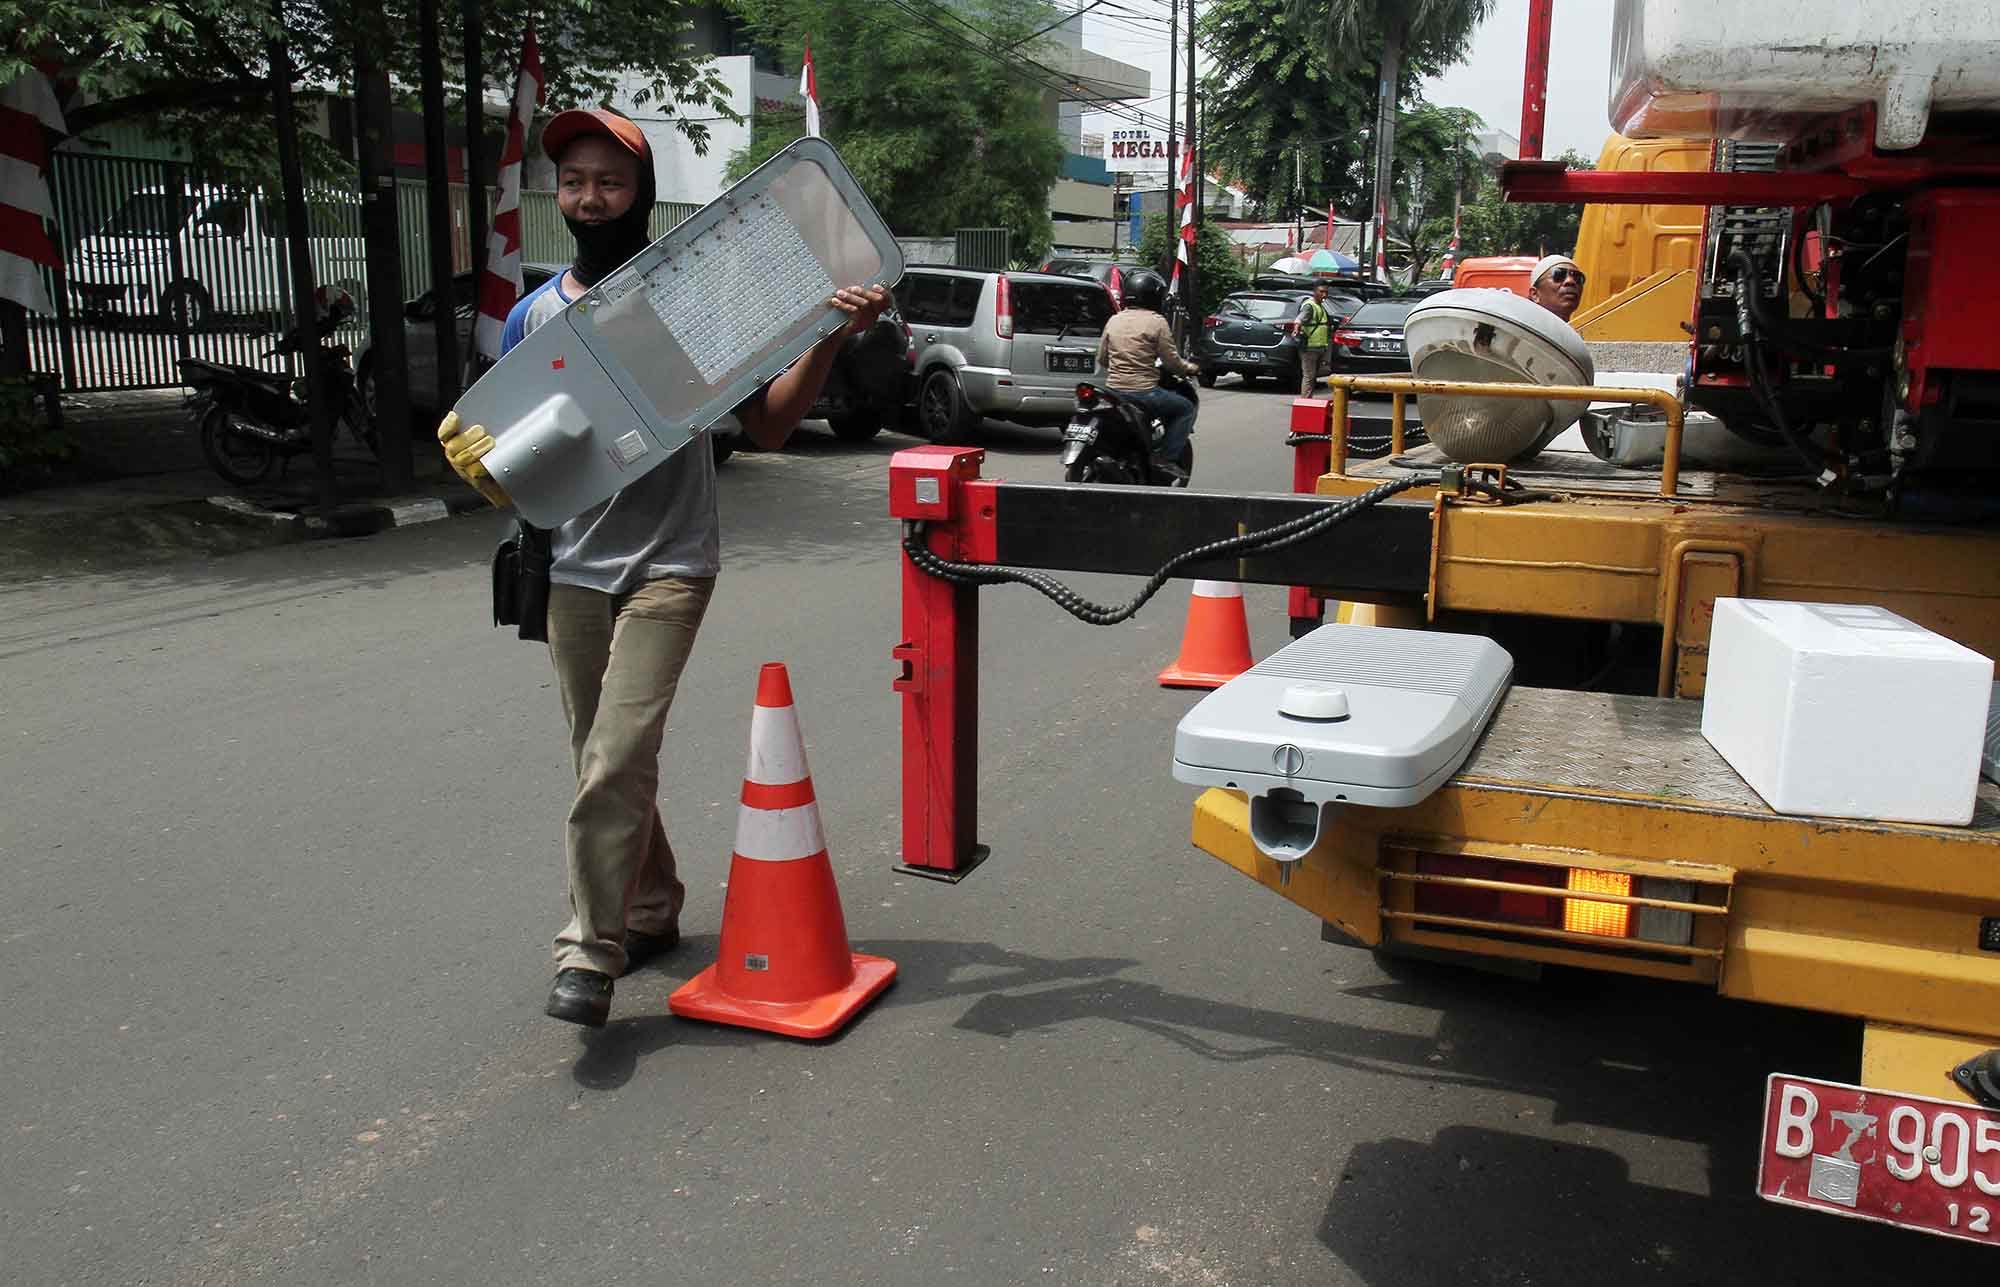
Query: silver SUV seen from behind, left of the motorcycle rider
[[1005, 345]]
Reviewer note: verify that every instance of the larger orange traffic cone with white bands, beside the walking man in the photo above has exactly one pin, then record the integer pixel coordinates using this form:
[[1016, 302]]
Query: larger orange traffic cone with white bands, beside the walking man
[[785, 962]]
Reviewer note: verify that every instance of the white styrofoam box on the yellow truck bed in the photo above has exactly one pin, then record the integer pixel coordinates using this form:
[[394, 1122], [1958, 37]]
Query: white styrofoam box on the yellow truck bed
[[1847, 710]]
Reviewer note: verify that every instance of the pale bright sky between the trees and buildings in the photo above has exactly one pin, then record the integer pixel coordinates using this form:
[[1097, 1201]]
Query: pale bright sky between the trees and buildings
[[1489, 81]]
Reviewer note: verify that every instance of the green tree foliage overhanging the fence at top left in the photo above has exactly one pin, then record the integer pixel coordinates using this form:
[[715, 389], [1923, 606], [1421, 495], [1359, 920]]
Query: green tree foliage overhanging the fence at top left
[[197, 71]]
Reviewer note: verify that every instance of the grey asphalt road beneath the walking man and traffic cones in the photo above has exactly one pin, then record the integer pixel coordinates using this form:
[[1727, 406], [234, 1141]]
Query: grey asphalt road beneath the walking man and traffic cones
[[281, 866]]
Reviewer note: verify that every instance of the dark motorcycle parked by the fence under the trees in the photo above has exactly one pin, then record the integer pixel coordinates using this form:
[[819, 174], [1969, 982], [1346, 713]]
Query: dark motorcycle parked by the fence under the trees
[[253, 419]]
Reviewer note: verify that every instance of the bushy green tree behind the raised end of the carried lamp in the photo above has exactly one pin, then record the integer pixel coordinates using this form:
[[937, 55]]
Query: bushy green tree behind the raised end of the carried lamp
[[939, 137]]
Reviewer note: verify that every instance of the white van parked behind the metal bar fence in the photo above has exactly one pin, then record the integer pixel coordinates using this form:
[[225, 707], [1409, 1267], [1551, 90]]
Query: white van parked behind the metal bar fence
[[185, 259]]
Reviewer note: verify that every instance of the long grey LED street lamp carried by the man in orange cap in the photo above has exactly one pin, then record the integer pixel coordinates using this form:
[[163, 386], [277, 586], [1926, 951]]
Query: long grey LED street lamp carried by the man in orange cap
[[677, 339]]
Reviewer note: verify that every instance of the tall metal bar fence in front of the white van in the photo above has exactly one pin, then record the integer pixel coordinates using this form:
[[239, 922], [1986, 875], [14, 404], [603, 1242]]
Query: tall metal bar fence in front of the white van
[[161, 267]]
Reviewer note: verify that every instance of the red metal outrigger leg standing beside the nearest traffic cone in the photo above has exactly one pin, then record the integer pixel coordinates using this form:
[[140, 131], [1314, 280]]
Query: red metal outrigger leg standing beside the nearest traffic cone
[[939, 682]]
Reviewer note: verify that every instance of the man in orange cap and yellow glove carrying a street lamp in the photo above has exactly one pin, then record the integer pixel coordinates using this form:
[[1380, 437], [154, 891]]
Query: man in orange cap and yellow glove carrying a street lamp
[[631, 583]]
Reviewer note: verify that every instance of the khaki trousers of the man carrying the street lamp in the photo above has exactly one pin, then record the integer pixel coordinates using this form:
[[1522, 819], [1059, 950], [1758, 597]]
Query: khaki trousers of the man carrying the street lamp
[[619, 662]]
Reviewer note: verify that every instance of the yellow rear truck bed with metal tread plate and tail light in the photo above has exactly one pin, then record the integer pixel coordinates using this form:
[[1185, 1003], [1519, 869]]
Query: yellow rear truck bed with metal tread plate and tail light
[[1861, 918]]
